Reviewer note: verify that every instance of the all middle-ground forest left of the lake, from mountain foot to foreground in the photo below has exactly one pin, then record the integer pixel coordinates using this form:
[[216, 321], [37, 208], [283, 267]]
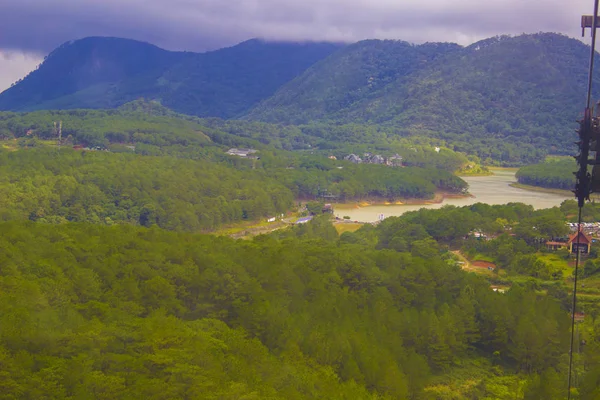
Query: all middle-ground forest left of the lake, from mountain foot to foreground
[[145, 165]]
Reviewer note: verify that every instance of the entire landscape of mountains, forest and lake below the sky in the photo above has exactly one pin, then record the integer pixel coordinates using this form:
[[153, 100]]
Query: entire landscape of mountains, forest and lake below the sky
[[166, 228]]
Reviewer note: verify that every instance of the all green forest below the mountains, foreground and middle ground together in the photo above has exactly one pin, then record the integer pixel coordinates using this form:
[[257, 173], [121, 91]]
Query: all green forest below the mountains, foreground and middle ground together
[[100, 300]]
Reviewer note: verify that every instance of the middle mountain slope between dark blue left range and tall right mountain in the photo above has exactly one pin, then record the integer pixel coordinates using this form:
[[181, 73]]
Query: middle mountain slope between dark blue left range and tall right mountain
[[347, 78]]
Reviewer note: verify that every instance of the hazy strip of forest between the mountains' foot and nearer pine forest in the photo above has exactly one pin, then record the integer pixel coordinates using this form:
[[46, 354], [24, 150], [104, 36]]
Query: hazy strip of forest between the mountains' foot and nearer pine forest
[[157, 130]]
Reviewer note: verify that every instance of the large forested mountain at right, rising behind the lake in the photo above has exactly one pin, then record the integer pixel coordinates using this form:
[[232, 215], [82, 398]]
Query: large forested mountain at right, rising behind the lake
[[528, 88]]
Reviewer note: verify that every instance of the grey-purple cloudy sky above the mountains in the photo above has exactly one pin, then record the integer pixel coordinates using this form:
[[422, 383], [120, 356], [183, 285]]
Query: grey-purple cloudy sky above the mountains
[[29, 29]]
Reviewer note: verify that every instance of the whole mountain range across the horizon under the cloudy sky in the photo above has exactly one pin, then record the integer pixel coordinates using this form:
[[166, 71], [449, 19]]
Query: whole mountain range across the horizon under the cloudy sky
[[509, 100]]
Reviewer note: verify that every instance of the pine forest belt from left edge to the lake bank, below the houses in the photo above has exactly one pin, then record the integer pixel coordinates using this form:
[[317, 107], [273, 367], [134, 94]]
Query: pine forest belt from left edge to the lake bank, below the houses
[[56, 186]]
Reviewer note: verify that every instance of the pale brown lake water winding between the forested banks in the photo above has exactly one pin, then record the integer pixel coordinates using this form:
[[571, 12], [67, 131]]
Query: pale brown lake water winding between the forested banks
[[494, 189]]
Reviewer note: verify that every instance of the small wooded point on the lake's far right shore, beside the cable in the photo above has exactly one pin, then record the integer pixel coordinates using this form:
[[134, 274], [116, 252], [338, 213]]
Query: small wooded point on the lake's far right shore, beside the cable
[[553, 174]]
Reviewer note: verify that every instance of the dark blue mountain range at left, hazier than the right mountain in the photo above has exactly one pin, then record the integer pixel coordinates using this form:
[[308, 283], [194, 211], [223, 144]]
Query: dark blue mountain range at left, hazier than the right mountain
[[100, 72]]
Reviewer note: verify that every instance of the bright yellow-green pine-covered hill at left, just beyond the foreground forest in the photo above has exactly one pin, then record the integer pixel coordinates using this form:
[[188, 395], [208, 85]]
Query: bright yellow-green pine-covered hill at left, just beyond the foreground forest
[[99, 187]]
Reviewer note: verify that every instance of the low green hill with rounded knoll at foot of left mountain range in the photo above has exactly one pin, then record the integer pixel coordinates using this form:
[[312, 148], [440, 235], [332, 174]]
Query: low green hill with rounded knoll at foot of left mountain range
[[133, 124]]
